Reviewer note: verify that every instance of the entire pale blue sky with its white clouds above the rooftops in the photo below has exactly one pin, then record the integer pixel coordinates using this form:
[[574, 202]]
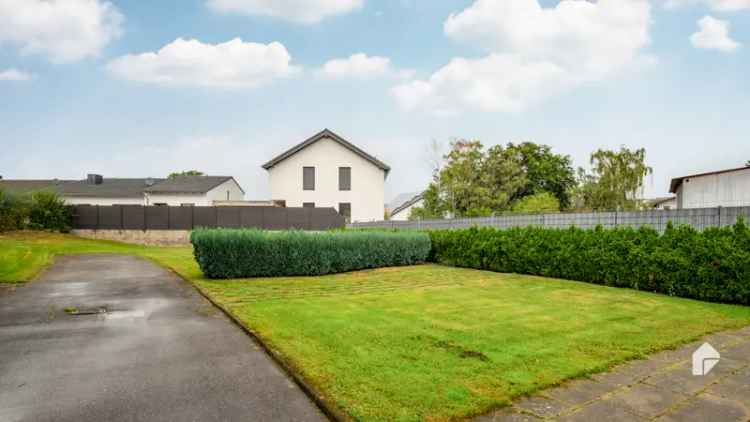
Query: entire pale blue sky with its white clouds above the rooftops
[[578, 77]]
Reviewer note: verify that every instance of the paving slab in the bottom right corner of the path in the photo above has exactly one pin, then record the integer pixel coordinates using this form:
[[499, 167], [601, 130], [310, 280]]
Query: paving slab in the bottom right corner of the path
[[706, 407]]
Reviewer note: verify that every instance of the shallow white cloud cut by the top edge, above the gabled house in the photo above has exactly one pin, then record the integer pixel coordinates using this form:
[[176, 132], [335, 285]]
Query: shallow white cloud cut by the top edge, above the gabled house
[[300, 11]]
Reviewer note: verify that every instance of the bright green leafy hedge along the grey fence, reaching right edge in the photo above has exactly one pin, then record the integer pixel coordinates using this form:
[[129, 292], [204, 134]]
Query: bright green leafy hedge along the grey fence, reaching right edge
[[711, 265]]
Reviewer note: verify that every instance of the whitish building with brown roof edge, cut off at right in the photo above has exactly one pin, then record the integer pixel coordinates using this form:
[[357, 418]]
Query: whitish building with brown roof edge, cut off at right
[[725, 188]]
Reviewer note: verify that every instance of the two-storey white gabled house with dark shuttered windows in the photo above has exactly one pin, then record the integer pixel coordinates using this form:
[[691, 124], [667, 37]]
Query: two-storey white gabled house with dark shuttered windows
[[328, 171]]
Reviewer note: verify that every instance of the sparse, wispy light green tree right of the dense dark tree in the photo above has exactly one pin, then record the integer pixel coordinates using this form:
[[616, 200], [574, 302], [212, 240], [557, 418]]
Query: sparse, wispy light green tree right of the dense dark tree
[[614, 181]]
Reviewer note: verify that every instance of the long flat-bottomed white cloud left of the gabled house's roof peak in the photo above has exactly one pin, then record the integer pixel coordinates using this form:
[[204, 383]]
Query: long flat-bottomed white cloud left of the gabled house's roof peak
[[233, 64]]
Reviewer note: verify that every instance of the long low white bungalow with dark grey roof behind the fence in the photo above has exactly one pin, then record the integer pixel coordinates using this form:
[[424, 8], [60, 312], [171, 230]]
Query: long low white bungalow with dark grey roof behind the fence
[[99, 190]]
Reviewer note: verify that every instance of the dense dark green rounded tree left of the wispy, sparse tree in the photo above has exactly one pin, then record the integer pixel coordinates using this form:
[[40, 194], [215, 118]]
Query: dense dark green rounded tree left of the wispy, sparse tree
[[545, 171]]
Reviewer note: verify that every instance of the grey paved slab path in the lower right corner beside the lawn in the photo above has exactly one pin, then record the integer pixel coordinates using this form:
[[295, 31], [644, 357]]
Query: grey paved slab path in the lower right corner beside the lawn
[[660, 388]]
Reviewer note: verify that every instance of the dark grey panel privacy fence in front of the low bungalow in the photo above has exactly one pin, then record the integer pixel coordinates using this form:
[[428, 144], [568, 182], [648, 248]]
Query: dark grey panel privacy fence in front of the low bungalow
[[138, 217]]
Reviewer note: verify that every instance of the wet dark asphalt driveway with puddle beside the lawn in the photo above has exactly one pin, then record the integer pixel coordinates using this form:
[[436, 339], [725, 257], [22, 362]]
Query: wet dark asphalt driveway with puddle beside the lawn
[[144, 346]]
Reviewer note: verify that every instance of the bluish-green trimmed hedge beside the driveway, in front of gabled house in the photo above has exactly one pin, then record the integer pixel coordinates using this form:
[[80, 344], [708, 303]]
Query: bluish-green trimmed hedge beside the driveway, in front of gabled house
[[224, 253]]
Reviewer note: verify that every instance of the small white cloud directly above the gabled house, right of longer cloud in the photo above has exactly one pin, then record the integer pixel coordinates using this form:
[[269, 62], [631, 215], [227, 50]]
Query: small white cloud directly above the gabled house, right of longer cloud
[[361, 66]]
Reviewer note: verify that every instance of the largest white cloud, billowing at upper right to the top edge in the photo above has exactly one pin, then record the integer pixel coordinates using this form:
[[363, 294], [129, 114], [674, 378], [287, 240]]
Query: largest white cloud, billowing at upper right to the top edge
[[535, 52]]
